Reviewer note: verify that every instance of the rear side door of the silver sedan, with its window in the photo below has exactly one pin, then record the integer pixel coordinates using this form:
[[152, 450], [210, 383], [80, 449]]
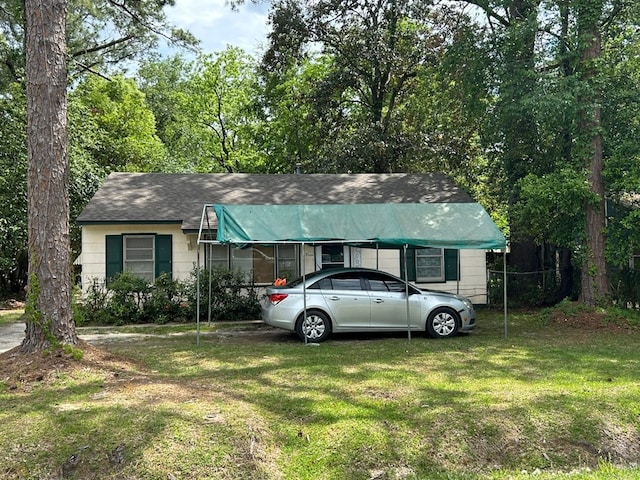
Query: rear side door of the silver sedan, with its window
[[348, 302]]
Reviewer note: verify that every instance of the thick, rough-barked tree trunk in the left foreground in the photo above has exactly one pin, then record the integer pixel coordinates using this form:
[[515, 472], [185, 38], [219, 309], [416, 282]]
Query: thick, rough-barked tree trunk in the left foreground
[[48, 312]]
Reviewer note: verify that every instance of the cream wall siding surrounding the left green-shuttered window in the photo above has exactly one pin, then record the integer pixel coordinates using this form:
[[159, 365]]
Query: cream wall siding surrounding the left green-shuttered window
[[94, 243]]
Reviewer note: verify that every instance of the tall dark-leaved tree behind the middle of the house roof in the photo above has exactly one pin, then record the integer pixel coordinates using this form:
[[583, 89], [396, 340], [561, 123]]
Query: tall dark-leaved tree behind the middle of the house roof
[[374, 51]]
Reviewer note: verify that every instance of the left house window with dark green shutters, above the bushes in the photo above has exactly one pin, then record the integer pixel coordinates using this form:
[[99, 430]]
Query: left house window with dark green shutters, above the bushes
[[146, 256]]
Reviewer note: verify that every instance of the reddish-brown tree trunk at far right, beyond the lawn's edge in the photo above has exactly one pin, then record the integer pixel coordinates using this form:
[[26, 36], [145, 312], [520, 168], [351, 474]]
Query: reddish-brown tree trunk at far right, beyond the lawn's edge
[[594, 280]]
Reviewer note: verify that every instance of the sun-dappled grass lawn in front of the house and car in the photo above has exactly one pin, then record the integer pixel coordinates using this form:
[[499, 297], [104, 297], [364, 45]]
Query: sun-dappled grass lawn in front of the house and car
[[558, 398]]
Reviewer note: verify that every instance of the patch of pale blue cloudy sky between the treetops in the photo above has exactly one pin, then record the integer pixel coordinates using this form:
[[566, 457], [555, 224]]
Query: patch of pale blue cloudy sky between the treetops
[[216, 25]]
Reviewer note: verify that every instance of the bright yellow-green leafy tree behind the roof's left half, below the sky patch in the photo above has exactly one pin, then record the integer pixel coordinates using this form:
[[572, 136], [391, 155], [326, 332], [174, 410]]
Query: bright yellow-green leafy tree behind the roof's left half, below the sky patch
[[213, 120]]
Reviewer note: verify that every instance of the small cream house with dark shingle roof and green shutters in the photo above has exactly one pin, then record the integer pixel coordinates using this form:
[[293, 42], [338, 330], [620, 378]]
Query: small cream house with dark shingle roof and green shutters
[[149, 223]]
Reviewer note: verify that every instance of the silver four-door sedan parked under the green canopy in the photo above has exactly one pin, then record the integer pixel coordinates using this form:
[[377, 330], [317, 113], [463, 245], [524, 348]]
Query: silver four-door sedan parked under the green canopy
[[358, 300]]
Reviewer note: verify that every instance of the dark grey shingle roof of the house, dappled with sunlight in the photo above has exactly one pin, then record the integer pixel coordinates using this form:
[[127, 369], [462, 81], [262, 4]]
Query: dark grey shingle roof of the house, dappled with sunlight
[[179, 198]]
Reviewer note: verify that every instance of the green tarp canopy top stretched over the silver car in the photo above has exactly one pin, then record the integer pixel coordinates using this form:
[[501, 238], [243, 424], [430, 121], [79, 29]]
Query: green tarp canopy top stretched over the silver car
[[389, 225]]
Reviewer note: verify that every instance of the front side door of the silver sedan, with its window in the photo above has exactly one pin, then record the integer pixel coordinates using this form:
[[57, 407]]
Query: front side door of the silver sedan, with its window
[[389, 302]]
